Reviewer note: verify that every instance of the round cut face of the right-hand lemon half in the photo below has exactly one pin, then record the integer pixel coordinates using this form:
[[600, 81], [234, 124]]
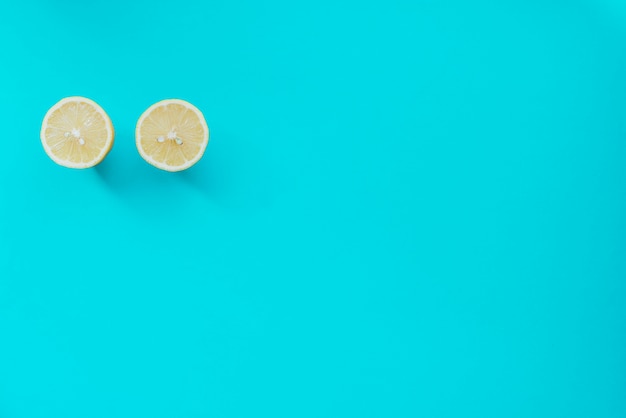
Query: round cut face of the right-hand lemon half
[[172, 134]]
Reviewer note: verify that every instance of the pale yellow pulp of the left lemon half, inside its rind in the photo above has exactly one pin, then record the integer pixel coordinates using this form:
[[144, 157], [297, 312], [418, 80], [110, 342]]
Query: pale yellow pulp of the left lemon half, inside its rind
[[76, 132]]
